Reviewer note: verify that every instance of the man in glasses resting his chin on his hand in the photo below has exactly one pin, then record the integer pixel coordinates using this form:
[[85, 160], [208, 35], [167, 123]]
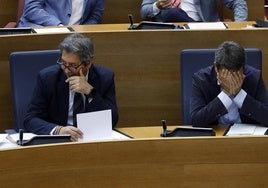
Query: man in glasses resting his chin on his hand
[[52, 104]]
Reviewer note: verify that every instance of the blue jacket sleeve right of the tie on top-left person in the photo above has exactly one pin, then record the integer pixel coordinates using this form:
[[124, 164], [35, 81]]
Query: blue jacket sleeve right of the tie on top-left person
[[95, 12]]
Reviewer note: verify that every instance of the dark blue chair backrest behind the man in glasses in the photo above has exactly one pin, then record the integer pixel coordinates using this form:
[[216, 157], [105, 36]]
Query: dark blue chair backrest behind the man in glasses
[[24, 67]]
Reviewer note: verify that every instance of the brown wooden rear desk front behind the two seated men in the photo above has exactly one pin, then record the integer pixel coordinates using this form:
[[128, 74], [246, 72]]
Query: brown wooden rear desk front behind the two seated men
[[146, 65]]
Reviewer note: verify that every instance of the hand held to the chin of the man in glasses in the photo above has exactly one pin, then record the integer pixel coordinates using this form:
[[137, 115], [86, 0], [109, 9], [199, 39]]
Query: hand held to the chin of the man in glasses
[[79, 84]]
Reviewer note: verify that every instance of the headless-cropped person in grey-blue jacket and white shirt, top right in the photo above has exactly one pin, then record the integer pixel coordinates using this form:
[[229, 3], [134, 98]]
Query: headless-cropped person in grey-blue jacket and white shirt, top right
[[190, 10]]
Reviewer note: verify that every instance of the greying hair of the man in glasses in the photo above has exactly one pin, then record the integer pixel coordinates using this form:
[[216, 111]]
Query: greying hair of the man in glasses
[[80, 45]]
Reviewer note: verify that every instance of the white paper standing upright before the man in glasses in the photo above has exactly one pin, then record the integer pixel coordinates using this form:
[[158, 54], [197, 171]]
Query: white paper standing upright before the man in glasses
[[97, 126]]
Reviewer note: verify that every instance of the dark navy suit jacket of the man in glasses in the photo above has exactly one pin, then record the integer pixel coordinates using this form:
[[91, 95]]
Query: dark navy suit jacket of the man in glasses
[[50, 100]]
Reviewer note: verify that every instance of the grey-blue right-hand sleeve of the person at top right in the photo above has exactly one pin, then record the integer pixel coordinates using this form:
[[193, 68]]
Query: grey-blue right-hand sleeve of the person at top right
[[239, 8]]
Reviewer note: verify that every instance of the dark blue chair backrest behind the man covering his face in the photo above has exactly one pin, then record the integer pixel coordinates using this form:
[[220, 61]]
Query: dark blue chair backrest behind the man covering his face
[[193, 60]]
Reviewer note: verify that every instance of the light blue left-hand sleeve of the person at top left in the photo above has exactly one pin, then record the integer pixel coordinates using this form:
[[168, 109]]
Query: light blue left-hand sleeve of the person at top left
[[34, 12]]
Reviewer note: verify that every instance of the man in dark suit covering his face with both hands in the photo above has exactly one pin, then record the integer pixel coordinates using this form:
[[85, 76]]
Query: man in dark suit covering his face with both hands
[[229, 91]]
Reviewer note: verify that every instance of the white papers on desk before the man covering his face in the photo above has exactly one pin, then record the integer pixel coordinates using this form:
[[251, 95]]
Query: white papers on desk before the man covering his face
[[246, 129]]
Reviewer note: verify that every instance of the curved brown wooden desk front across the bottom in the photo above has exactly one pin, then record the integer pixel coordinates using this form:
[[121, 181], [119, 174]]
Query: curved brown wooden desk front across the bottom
[[160, 162]]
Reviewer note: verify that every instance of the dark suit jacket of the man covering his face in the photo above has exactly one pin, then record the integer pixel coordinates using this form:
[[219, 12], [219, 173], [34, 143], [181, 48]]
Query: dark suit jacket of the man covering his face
[[206, 107]]
